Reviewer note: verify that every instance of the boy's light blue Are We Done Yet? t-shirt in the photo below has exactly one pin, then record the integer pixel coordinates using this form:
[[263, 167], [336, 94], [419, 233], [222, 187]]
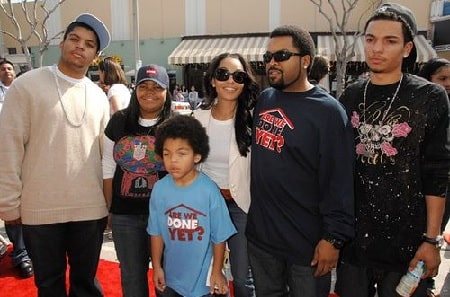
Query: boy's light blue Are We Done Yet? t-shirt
[[189, 219]]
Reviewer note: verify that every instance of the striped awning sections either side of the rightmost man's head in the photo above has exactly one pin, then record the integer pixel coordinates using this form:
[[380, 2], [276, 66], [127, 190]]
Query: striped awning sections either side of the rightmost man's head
[[326, 47]]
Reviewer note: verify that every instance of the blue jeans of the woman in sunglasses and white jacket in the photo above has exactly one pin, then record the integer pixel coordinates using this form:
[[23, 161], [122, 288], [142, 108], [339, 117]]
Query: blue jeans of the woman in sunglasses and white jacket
[[242, 279]]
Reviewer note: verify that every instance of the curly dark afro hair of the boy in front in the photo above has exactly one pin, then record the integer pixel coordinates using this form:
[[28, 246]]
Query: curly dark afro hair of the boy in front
[[184, 127]]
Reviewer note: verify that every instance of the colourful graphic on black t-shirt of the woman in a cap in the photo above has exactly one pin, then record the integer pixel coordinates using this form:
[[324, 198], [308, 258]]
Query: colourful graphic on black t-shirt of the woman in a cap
[[136, 156]]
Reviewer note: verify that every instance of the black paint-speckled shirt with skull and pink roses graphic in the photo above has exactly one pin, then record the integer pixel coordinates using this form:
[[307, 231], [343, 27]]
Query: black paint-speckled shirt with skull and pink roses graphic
[[401, 156]]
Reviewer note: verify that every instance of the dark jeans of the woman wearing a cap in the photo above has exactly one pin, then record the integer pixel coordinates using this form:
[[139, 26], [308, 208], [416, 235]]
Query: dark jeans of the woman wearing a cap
[[132, 244]]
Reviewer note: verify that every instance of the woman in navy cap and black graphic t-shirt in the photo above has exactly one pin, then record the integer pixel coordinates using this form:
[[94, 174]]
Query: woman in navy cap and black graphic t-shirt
[[130, 170]]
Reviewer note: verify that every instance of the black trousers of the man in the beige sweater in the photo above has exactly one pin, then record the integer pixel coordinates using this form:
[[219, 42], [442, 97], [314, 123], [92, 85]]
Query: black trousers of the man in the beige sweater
[[52, 246]]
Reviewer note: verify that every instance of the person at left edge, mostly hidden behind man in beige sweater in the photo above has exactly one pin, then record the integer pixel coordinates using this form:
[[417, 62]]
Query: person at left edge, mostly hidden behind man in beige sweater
[[20, 258]]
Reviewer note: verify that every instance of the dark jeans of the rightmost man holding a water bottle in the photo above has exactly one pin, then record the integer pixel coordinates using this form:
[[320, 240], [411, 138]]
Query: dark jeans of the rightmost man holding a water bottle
[[354, 281]]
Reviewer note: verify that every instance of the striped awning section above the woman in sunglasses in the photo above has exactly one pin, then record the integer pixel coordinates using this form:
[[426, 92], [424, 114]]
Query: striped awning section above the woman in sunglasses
[[203, 50]]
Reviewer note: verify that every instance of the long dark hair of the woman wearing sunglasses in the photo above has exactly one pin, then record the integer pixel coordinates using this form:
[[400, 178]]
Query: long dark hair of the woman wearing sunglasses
[[245, 102]]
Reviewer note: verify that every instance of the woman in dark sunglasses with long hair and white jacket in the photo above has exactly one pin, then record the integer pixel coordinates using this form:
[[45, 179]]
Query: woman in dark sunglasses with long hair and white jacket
[[231, 92]]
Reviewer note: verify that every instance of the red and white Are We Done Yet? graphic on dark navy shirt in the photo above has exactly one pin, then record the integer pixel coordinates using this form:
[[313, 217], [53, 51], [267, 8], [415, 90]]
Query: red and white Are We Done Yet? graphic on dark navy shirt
[[270, 128]]
